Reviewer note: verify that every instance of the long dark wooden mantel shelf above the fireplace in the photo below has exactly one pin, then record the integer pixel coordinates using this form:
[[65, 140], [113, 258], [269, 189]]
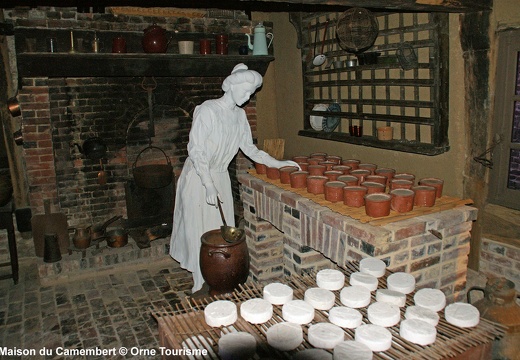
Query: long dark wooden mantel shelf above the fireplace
[[134, 64]]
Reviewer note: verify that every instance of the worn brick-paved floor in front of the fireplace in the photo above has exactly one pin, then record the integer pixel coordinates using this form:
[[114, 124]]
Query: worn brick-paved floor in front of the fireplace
[[106, 310]]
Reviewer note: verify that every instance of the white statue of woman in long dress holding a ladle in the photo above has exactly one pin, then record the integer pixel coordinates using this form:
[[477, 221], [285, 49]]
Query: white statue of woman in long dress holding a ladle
[[219, 129]]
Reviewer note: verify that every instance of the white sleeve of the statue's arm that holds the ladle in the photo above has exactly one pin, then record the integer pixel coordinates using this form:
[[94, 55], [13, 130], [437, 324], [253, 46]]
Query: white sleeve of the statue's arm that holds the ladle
[[197, 149]]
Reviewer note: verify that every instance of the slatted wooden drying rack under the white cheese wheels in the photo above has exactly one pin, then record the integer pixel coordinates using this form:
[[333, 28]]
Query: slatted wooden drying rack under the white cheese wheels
[[185, 323]]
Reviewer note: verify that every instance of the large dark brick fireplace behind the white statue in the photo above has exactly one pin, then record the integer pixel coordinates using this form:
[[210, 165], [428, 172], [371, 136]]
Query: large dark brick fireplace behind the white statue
[[60, 112]]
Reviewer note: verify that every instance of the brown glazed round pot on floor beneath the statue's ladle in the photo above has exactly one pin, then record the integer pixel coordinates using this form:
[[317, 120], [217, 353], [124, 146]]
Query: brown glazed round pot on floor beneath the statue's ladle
[[223, 265]]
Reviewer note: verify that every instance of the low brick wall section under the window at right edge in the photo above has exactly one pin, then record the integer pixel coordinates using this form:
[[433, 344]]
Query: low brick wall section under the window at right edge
[[500, 260]]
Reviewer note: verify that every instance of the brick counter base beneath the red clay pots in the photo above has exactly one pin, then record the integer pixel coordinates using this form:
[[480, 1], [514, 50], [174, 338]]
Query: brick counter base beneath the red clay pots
[[315, 237]]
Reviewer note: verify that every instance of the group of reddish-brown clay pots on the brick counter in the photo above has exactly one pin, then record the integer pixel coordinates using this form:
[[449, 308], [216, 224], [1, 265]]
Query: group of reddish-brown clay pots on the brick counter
[[357, 184]]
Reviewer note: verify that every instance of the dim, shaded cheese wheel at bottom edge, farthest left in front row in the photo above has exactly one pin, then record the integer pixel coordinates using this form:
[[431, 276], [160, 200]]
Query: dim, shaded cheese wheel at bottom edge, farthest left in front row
[[236, 345]]
